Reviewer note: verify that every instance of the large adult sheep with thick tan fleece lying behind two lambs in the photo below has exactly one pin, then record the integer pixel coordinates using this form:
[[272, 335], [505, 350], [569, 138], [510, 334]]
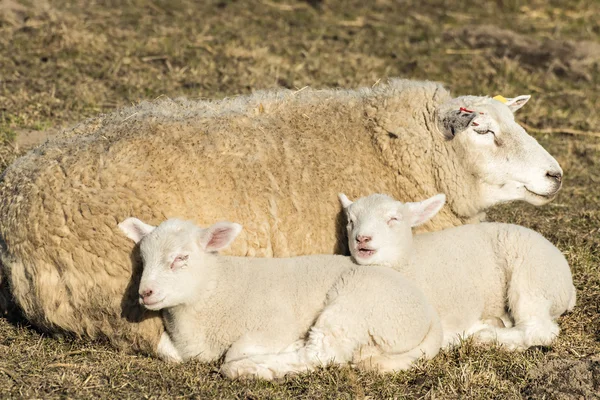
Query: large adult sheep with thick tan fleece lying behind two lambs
[[274, 161]]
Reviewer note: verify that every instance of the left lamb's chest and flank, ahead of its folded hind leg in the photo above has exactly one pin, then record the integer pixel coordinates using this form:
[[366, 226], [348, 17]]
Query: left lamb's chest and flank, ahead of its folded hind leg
[[276, 298]]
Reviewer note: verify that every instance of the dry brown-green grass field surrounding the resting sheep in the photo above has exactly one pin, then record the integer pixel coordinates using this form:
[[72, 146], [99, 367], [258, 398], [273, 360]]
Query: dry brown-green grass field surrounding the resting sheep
[[63, 61]]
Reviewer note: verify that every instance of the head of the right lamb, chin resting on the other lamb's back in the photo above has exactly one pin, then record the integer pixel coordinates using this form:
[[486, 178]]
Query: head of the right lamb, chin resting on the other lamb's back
[[379, 227]]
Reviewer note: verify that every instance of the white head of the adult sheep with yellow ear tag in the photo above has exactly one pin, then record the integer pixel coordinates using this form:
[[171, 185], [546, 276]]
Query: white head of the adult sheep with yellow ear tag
[[506, 163]]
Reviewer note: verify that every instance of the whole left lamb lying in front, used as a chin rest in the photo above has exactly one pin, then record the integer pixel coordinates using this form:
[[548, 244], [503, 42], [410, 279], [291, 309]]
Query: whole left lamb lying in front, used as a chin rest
[[258, 311]]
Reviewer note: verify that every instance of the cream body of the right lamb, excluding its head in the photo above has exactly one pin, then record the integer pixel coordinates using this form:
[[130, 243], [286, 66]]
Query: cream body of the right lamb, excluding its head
[[476, 273]]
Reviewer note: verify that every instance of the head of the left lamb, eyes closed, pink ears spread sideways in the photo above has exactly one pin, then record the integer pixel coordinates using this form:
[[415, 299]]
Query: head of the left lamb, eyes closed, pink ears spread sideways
[[178, 261]]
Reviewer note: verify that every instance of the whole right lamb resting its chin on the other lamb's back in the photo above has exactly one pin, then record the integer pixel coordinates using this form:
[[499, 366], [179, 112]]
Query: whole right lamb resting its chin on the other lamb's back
[[472, 274]]
